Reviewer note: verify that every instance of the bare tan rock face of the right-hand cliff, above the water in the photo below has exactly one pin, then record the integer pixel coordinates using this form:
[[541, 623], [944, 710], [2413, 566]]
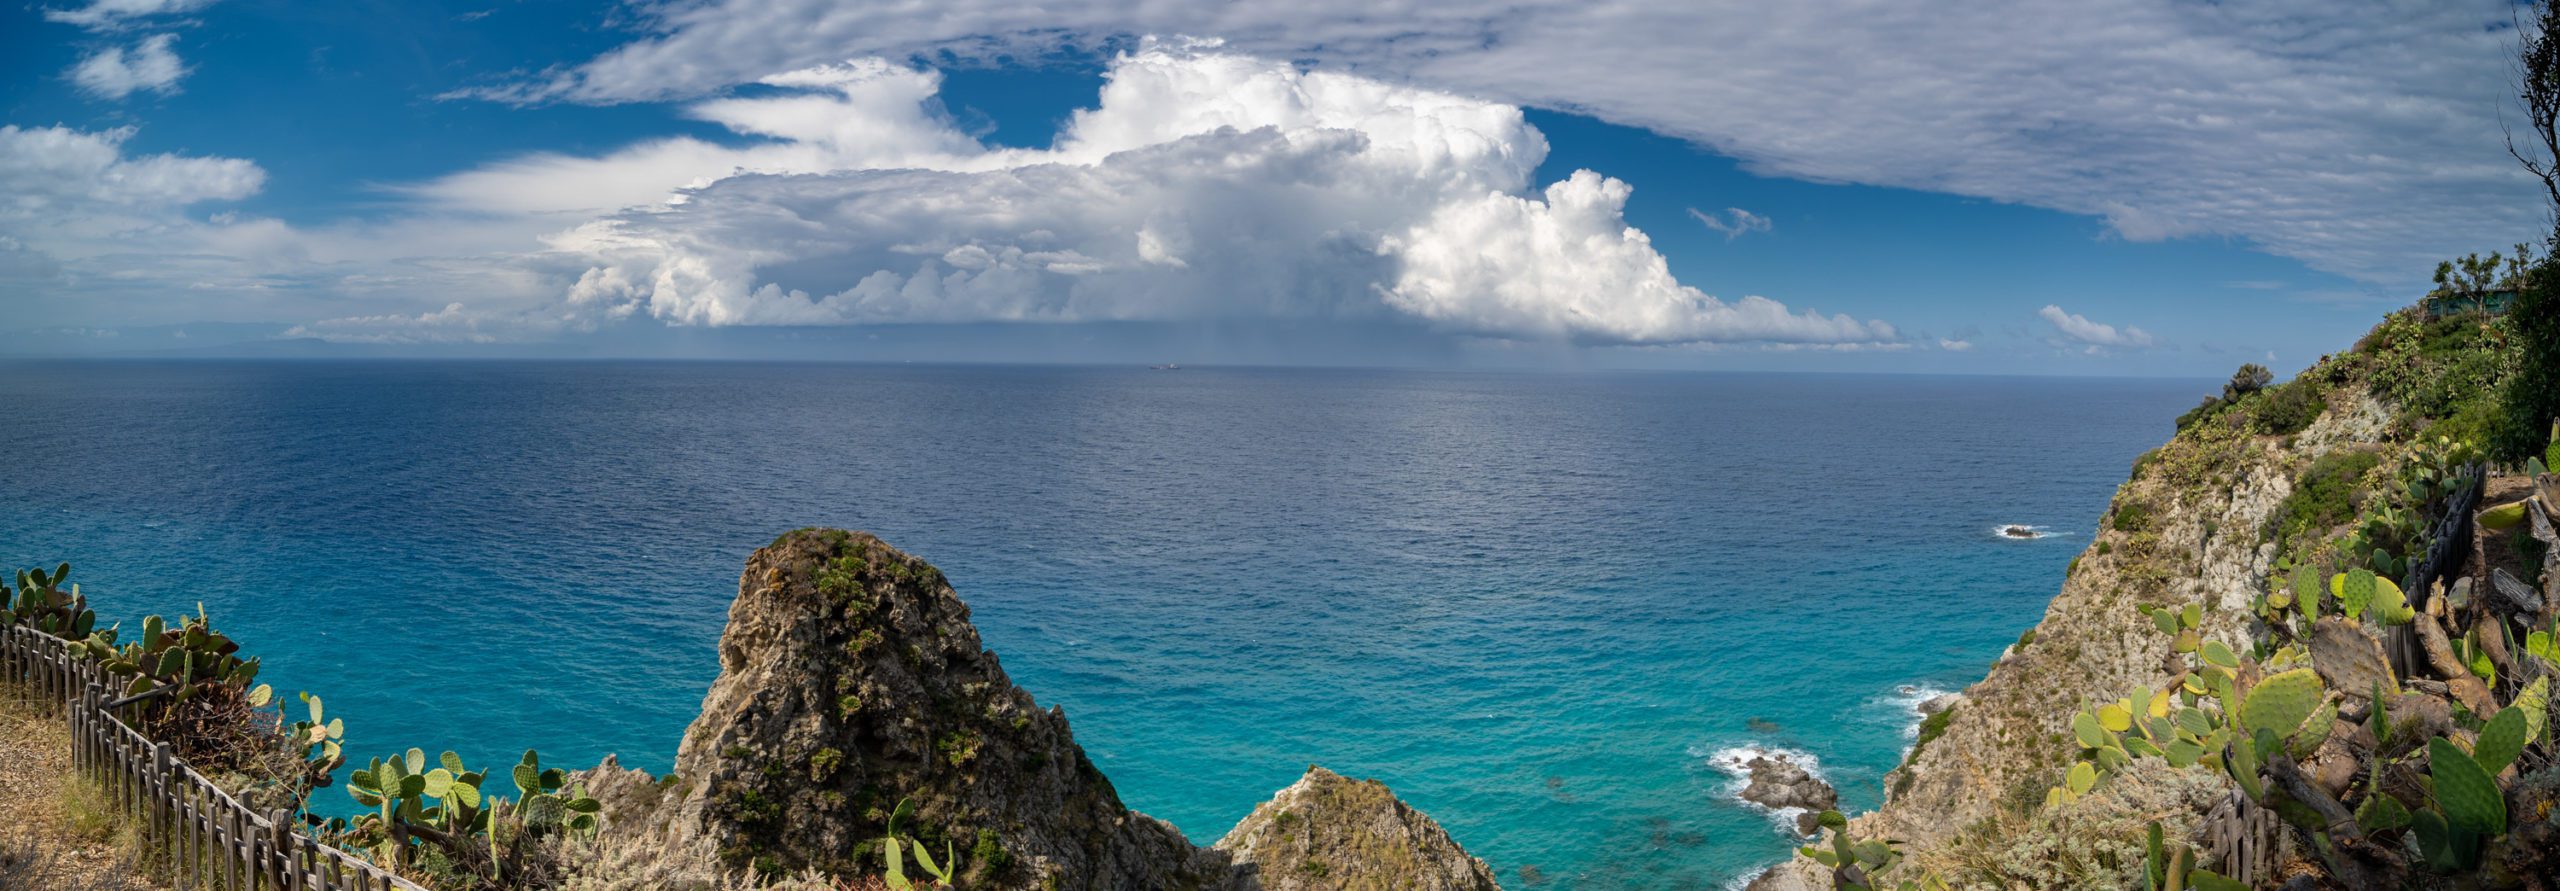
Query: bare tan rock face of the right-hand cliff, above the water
[[2188, 529]]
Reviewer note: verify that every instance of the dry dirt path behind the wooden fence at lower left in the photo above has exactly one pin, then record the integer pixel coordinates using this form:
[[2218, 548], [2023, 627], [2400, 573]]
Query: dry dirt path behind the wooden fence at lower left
[[52, 831]]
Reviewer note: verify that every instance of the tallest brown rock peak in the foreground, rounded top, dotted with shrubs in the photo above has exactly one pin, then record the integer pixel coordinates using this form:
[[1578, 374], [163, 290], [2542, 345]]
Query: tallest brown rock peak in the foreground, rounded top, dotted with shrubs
[[851, 680]]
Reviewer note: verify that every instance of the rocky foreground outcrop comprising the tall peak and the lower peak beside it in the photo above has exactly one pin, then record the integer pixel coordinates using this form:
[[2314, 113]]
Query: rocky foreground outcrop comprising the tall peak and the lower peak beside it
[[851, 682]]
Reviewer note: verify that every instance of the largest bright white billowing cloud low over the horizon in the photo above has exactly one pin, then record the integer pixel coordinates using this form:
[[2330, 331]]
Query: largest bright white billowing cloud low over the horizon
[[1202, 186]]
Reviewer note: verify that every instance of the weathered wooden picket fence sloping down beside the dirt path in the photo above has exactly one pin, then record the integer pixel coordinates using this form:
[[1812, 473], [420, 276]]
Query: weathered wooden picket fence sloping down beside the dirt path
[[198, 833]]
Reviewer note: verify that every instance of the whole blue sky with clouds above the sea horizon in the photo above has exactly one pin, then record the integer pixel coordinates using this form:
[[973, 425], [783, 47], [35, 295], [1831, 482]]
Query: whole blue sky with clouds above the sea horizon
[[2019, 188]]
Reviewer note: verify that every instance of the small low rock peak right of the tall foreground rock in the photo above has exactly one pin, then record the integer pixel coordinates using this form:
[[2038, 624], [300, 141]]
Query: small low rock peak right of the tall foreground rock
[[1338, 833]]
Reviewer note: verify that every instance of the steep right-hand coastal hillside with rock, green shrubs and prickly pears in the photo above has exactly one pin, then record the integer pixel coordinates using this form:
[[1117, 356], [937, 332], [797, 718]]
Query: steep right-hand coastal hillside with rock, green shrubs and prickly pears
[[2262, 542]]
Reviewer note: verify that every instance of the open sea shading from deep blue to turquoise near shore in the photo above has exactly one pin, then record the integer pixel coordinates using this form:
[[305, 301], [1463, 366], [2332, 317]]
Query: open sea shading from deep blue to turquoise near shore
[[1537, 606]]
